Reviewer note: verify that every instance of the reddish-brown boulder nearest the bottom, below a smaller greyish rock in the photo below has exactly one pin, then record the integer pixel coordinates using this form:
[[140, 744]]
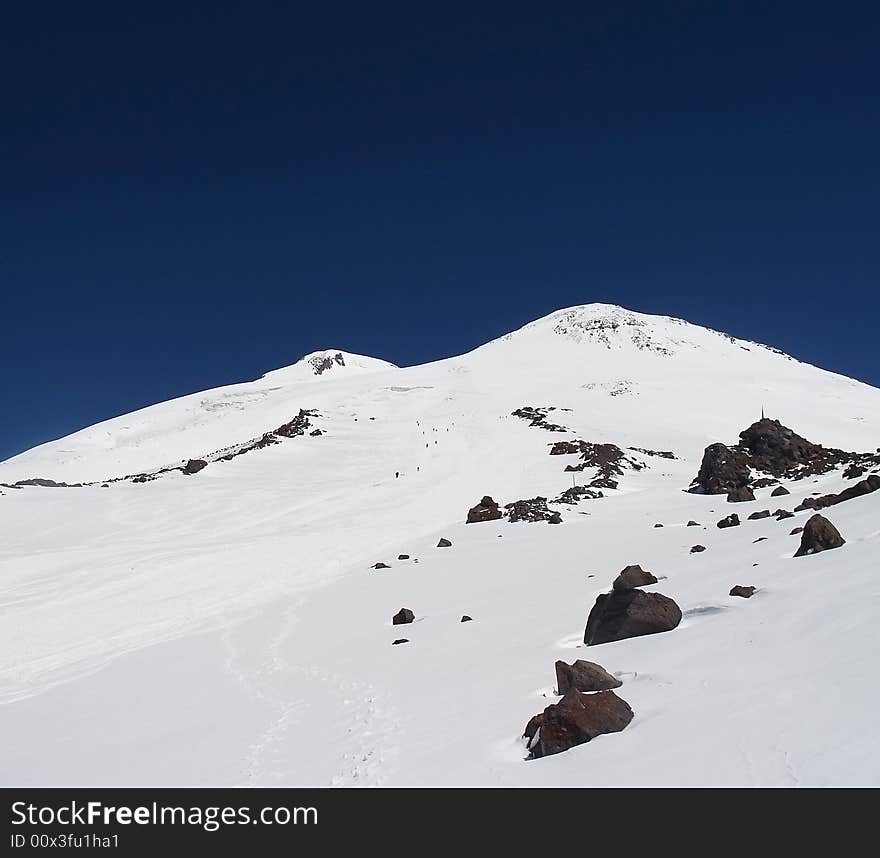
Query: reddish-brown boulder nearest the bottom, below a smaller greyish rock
[[576, 719]]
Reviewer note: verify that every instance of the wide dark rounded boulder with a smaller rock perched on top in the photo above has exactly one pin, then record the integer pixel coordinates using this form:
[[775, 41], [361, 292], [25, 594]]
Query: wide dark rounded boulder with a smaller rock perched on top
[[624, 614]]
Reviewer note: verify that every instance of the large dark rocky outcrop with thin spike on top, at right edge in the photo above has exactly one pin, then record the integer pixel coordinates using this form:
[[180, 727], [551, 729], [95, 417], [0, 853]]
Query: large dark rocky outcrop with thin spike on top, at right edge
[[770, 448]]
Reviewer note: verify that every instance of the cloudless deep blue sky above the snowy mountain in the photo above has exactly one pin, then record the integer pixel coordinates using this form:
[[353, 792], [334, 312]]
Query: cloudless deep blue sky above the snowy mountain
[[191, 196]]
